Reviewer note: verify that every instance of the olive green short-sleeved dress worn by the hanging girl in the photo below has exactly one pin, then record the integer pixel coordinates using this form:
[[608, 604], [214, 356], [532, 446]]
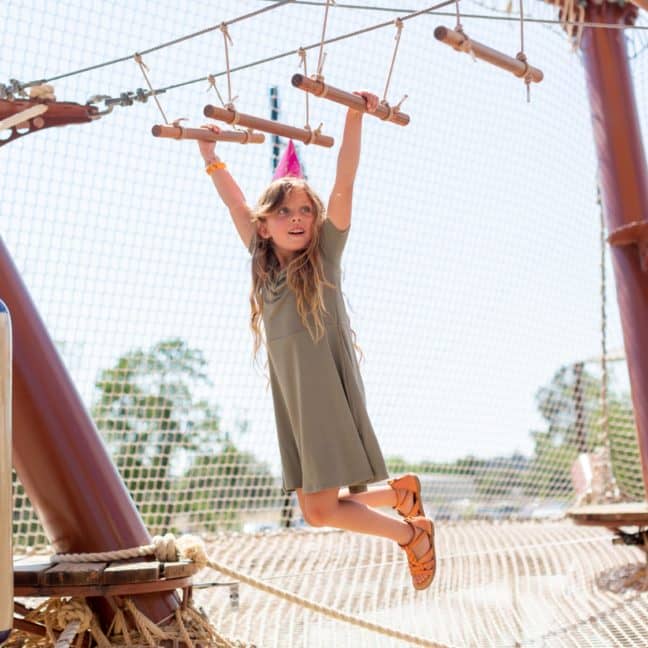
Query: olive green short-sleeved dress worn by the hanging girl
[[326, 439]]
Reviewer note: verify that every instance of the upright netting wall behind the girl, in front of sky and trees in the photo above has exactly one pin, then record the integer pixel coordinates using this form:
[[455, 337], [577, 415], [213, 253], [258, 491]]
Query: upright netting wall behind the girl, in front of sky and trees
[[472, 273]]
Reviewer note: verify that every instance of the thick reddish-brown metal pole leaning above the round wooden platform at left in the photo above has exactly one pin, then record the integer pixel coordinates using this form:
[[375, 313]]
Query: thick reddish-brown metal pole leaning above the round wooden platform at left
[[58, 455]]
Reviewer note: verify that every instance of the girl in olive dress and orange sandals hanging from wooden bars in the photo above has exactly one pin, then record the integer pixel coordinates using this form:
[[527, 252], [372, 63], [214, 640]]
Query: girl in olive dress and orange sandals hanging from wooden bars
[[325, 436]]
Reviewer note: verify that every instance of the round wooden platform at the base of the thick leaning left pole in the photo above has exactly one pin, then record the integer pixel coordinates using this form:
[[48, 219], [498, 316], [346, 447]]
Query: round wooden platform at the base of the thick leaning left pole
[[100, 579]]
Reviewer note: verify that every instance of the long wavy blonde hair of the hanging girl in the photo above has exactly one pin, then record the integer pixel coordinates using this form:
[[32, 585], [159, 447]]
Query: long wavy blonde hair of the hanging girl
[[304, 274]]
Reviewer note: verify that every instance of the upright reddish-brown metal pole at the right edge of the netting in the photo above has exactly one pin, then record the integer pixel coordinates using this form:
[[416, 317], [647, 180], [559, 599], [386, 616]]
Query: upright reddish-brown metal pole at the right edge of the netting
[[624, 184]]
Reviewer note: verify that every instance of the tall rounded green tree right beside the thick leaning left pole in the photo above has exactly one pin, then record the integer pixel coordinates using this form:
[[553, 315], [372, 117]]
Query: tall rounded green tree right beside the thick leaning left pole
[[151, 422]]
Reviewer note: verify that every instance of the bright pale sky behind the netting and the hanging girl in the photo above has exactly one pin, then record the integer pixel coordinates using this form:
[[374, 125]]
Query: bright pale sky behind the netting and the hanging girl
[[472, 269]]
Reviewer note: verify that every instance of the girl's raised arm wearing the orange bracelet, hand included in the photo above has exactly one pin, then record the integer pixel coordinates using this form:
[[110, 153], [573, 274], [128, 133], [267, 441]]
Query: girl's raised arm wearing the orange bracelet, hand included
[[228, 190]]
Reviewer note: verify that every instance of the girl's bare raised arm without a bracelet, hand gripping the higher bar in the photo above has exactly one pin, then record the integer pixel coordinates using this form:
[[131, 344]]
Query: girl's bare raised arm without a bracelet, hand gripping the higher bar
[[340, 202]]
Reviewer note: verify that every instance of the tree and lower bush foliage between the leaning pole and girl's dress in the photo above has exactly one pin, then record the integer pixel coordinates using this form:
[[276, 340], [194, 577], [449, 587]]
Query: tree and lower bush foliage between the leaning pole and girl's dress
[[162, 437]]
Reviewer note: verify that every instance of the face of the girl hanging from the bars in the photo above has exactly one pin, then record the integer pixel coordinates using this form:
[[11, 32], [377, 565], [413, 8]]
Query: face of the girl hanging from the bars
[[290, 226]]
